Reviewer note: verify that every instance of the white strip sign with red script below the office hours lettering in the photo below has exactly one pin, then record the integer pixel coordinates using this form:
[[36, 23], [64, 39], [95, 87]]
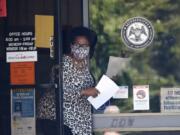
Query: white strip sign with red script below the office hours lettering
[[25, 56]]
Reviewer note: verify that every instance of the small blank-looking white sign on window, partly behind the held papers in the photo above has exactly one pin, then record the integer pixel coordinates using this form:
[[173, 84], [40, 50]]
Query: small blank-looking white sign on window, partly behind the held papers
[[121, 93]]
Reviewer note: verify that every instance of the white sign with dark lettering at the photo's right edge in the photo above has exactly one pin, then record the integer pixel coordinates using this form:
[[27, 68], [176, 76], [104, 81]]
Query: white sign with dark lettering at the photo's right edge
[[170, 100]]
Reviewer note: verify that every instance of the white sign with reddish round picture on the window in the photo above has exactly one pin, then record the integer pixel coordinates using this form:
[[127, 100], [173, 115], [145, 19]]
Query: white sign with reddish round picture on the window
[[141, 97]]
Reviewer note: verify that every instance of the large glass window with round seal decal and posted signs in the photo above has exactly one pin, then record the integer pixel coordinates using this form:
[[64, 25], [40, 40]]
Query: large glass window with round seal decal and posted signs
[[141, 40]]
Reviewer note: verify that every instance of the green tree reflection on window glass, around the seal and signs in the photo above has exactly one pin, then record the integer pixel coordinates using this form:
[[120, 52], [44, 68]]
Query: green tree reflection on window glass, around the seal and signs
[[157, 65]]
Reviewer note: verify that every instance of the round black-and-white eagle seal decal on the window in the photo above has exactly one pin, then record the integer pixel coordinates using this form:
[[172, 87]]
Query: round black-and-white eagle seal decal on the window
[[137, 33]]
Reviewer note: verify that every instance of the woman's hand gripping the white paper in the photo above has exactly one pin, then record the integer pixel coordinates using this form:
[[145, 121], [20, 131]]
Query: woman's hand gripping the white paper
[[90, 92]]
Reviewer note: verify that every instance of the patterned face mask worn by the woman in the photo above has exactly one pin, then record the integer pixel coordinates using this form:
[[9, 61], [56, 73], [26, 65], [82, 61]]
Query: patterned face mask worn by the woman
[[80, 51]]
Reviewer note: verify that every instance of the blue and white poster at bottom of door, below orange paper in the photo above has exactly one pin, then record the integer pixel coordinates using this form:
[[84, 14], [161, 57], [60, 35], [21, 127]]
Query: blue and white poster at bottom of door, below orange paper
[[23, 112]]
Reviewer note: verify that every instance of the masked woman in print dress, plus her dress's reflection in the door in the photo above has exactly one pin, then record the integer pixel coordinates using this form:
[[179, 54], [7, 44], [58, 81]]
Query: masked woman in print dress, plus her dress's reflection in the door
[[78, 84]]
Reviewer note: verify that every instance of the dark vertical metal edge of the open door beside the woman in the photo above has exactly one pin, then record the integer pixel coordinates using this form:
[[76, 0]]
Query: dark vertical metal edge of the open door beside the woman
[[58, 60]]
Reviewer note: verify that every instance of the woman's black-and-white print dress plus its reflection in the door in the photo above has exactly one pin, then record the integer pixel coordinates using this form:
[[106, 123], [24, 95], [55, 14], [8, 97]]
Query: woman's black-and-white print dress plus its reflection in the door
[[77, 110]]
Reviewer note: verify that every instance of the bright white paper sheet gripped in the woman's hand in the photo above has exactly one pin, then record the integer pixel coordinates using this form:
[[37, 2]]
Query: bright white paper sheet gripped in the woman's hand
[[107, 89]]
